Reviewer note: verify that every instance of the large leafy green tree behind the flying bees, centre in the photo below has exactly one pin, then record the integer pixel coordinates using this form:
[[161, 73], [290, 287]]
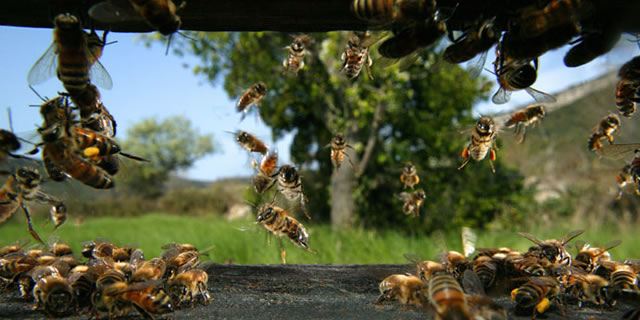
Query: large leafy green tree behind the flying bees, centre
[[398, 116]]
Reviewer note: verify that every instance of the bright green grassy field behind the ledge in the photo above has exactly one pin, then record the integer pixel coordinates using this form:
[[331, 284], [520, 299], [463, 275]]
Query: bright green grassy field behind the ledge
[[244, 242]]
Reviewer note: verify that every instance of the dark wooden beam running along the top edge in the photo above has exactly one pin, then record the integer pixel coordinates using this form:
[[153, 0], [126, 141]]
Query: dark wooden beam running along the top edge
[[202, 15]]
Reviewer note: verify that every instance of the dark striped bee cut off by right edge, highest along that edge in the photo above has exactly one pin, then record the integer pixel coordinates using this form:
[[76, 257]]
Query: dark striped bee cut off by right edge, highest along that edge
[[627, 94]]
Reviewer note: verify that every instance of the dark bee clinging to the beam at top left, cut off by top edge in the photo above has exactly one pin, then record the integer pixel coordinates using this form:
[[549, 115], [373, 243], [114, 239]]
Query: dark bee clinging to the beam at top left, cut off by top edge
[[159, 14]]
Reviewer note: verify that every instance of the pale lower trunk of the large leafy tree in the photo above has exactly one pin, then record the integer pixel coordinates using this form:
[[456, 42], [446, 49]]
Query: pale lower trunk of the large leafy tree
[[342, 202]]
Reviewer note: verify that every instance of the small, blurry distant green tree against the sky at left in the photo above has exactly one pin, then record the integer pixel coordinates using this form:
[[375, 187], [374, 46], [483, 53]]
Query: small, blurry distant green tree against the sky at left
[[170, 145]]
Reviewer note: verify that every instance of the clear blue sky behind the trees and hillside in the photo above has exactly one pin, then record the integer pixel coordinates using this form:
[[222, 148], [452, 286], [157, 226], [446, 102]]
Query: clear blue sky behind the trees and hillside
[[149, 84]]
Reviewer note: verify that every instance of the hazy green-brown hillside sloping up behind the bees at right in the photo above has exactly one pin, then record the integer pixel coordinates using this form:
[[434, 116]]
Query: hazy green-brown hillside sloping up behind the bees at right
[[555, 157]]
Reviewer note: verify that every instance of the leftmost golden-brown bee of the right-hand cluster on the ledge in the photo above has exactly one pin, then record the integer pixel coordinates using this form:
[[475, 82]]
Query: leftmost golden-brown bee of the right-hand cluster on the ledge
[[407, 288]]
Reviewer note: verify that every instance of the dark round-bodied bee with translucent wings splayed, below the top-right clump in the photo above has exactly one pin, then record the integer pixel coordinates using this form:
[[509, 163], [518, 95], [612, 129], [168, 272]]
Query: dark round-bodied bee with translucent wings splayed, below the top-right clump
[[516, 75]]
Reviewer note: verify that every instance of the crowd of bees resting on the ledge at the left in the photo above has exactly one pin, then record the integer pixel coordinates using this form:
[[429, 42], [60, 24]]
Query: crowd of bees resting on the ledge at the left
[[114, 281]]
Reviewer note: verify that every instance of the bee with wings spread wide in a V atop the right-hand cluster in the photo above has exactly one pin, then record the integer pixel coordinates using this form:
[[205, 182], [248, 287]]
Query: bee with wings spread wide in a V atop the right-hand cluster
[[552, 249]]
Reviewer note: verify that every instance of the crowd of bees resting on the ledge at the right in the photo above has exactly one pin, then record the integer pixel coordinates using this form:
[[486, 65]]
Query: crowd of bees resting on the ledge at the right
[[545, 277]]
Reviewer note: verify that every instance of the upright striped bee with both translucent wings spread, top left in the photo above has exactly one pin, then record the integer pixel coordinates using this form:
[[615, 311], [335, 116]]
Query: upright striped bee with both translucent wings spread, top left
[[76, 65]]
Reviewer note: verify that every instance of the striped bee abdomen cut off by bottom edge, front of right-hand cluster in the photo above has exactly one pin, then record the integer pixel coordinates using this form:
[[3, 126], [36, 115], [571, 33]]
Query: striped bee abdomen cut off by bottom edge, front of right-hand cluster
[[448, 298]]
